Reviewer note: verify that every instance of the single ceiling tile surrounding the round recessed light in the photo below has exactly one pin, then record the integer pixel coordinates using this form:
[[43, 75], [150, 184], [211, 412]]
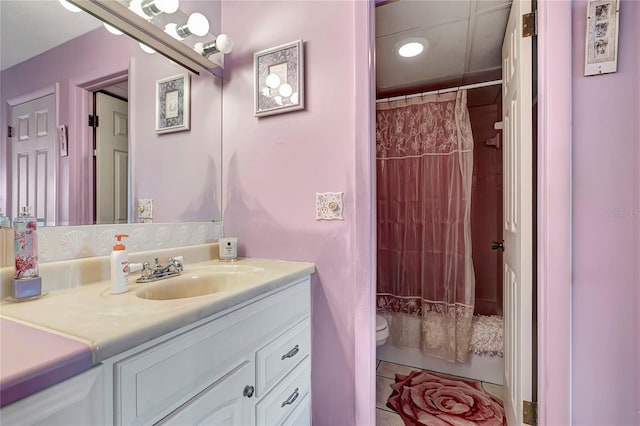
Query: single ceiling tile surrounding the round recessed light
[[445, 56]]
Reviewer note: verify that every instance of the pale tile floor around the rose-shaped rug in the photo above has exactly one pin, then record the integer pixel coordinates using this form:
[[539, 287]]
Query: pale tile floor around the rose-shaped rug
[[385, 376]]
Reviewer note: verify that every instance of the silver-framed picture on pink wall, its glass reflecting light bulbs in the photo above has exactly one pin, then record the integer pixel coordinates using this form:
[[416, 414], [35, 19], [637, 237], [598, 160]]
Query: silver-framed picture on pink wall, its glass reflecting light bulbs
[[279, 79]]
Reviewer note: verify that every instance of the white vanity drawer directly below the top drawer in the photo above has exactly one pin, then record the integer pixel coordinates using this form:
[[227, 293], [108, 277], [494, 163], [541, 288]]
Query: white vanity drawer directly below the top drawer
[[284, 399]]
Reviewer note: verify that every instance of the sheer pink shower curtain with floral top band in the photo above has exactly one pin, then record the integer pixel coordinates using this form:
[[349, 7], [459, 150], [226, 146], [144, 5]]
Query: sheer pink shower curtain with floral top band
[[426, 281]]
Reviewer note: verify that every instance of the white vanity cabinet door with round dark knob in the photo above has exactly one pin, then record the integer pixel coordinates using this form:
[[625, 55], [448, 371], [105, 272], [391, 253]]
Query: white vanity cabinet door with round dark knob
[[222, 403]]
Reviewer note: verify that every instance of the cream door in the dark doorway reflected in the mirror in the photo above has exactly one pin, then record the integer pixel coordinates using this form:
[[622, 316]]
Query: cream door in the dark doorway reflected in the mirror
[[112, 159]]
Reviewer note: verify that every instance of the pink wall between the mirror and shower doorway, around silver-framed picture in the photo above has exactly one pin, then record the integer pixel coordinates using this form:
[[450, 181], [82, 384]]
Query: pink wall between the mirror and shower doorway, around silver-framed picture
[[273, 166]]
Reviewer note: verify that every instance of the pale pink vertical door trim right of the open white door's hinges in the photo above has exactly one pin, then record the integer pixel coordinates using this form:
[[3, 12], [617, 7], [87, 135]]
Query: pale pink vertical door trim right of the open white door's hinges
[[554, 212]]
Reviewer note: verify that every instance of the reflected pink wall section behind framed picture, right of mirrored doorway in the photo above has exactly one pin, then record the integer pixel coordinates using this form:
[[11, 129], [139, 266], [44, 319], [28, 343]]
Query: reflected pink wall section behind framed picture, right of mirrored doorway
[[181, 171]]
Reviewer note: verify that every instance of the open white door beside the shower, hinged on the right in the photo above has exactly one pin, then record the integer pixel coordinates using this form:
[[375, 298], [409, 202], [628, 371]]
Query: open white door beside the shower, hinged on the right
[[518, 213]]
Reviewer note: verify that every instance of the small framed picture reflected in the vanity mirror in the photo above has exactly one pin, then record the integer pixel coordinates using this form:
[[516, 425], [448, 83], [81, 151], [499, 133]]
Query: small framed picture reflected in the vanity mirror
[[172, 104]]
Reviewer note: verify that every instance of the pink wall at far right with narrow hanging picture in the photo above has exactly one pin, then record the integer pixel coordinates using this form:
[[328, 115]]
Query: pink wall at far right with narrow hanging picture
[[606, 231]]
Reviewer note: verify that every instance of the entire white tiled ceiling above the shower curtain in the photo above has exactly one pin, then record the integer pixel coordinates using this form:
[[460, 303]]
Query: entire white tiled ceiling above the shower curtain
[[465, 44]]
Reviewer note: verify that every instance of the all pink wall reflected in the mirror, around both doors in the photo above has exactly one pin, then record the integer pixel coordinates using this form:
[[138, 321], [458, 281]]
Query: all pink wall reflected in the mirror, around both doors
[[157, 161]]
